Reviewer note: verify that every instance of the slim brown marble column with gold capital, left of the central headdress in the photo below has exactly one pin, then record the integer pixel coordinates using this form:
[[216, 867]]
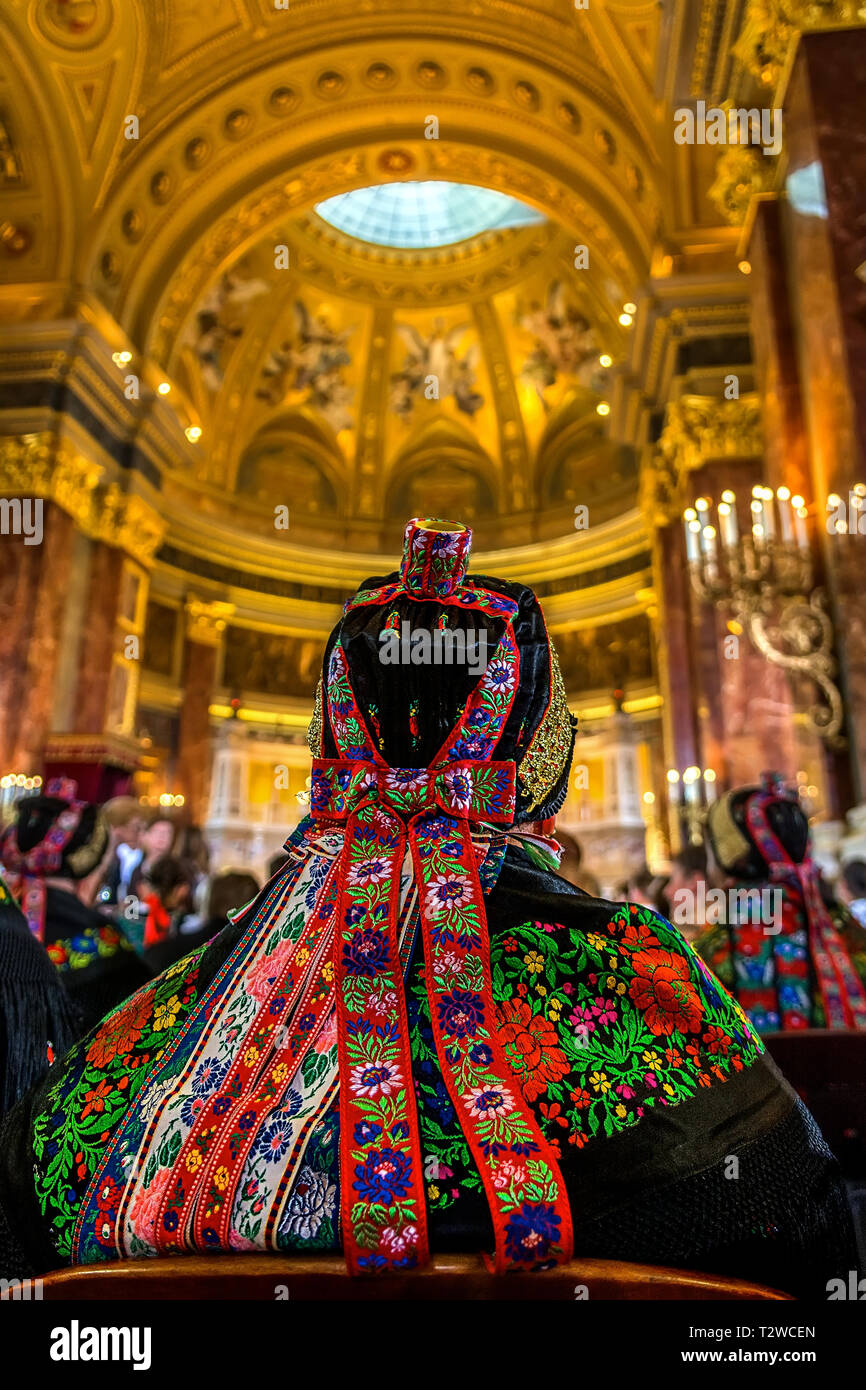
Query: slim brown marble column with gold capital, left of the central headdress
[[204, 636]]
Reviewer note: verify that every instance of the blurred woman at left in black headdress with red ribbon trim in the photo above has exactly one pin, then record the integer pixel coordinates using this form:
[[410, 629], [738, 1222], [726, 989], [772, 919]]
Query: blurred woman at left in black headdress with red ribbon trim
[[54, 856]]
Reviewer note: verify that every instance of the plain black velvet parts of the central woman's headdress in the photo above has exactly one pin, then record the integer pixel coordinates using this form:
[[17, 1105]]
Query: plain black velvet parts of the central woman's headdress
[[394, 697]]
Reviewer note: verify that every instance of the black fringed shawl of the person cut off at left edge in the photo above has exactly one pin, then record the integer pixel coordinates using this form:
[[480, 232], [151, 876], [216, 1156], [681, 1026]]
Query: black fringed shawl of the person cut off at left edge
[[40, 1021]]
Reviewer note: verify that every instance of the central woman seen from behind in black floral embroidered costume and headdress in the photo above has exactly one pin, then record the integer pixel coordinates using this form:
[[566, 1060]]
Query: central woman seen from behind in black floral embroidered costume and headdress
[[419, 1038]]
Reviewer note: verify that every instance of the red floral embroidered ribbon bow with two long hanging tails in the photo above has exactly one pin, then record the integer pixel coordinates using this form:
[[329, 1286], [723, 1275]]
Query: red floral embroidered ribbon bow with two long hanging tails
[[432, 811]]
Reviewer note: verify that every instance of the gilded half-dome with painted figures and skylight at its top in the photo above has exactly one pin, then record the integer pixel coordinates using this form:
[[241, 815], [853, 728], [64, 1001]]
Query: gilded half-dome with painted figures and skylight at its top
[[355, 380]]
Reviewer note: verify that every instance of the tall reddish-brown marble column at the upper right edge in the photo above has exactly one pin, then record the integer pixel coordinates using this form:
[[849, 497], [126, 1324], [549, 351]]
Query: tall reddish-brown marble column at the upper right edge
[[825, 230]]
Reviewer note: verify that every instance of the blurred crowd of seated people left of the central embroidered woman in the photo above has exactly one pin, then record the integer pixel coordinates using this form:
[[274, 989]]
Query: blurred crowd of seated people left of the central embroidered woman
[[95, 901]]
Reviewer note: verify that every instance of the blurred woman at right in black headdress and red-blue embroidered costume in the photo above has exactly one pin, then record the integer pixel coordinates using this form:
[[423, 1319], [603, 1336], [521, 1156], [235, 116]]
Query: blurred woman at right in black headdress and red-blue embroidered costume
[[778, 949]]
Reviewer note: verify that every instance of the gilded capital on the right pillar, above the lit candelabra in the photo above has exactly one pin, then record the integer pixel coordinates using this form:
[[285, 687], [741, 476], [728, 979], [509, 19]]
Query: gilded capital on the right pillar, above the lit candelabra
[[697, 432]]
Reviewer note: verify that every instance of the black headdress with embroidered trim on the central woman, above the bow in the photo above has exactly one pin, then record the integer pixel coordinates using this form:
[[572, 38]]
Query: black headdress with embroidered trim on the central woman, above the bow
[[415, 646]]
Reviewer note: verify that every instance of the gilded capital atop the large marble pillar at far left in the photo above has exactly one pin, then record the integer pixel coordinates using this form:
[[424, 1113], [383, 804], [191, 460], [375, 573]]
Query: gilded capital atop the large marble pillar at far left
[[38, 466]]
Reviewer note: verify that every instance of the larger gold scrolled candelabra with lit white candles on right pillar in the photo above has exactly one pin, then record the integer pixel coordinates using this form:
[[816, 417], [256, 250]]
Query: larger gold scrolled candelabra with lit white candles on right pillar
[[765, 579]]
